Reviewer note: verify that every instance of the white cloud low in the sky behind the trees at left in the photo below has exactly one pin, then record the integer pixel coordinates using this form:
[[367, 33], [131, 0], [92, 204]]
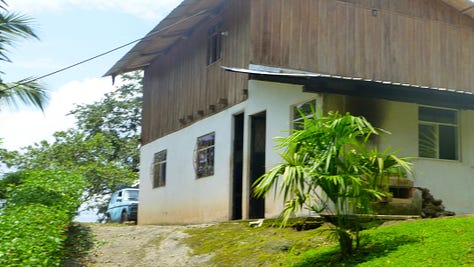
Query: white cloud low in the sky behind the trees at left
[[22, 128]]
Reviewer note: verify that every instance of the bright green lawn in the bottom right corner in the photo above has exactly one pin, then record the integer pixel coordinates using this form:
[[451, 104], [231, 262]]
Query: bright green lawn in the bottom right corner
[[437, 242]]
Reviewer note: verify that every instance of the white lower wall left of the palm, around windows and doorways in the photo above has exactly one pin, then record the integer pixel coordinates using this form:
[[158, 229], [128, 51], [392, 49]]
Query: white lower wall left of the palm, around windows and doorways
[[186, 199]]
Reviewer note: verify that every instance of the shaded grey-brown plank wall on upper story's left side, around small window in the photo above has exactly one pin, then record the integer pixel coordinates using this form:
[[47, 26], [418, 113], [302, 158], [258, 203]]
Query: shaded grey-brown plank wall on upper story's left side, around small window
[[180, 86]]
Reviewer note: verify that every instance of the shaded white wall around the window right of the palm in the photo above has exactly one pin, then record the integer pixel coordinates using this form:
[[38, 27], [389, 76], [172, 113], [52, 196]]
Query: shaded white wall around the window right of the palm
[[449, 180]]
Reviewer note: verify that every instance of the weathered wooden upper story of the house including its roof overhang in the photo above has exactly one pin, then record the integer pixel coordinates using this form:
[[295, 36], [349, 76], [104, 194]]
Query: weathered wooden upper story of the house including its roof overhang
[[420, 42]]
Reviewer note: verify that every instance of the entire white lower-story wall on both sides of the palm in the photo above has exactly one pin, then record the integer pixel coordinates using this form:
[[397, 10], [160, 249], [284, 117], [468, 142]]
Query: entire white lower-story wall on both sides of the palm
[[186, 199]]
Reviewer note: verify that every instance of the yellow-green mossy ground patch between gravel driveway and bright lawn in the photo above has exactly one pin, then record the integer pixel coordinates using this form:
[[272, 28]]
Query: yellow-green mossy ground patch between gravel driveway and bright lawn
[[237, 244]]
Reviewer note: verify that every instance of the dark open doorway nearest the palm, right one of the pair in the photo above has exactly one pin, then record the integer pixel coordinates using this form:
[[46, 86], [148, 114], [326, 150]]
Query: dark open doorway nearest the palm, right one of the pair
[[257, 162]]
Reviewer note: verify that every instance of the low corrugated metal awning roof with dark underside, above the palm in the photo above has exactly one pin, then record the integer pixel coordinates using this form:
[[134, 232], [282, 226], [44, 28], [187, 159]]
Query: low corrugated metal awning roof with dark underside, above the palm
[[315, 82]]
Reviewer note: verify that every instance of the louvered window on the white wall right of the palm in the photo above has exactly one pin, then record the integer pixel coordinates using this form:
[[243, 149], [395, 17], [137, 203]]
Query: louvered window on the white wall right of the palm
[[438, 133]]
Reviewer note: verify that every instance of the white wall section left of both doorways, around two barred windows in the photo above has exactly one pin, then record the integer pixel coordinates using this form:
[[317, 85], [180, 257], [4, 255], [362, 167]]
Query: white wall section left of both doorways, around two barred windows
[[186, 199]]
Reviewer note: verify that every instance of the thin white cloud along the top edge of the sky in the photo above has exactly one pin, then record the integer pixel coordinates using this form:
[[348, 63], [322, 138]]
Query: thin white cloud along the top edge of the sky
[[145, 9]]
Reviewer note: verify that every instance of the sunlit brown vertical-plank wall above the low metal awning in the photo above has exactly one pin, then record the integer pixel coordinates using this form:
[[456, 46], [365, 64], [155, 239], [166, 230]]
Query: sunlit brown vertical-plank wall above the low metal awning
[[424, 42]]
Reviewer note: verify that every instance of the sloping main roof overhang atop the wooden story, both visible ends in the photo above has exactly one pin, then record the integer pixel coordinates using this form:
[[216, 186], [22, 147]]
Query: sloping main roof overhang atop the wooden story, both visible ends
[[180, 23]]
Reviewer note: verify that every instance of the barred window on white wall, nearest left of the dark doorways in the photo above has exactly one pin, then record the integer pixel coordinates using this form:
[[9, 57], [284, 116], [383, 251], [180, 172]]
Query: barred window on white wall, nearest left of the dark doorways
[[205, 155]]
